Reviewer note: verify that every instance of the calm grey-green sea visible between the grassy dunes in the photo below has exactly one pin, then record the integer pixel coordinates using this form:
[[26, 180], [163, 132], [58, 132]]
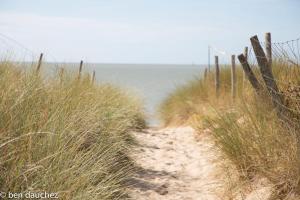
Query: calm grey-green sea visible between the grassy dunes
[[151, 82]]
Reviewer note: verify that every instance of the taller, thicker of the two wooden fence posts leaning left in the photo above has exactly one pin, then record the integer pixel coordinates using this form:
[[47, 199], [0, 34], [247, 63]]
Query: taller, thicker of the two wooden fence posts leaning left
[[267, 74]]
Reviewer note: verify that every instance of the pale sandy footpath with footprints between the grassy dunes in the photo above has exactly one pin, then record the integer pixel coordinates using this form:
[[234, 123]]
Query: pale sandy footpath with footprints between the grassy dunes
[[177, 165]]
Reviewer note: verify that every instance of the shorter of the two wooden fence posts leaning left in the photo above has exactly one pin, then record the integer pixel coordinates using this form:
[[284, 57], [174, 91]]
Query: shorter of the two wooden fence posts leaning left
[[249, 73]]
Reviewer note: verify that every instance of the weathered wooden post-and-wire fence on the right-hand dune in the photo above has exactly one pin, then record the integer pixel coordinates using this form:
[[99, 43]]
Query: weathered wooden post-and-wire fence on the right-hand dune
[[272, 67]]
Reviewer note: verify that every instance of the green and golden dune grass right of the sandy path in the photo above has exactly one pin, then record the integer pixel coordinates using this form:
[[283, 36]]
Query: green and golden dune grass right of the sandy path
[[247, 130]]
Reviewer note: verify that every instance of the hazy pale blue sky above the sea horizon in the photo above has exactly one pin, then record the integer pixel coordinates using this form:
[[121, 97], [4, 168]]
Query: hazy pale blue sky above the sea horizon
[[143, 31]]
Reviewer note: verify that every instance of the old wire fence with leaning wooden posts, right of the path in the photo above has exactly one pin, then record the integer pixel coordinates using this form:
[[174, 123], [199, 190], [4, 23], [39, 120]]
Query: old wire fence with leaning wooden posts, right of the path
[[257, 57]]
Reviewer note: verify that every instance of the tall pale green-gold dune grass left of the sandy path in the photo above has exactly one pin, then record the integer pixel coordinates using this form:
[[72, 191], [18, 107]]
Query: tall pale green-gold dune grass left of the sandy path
[[65, 135]]
